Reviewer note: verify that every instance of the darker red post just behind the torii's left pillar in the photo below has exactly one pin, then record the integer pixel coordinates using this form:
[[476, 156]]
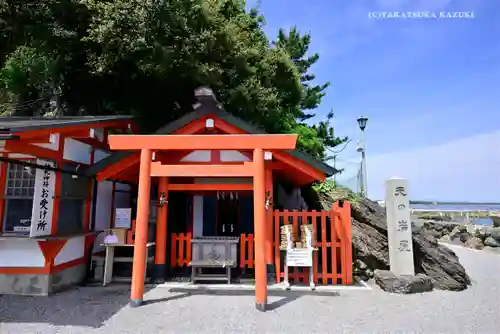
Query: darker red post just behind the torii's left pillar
[[161, 232]]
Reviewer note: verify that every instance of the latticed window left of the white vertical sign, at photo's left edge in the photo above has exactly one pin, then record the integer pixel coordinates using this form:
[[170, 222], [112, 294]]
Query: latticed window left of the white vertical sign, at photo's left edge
[[19, 190]]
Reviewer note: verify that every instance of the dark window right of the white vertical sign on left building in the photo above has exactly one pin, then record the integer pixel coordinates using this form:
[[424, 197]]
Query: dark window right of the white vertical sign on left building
[[74, 191]]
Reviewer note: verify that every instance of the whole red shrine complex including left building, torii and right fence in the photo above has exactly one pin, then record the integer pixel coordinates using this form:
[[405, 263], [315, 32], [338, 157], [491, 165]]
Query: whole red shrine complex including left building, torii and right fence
[[207, 179]]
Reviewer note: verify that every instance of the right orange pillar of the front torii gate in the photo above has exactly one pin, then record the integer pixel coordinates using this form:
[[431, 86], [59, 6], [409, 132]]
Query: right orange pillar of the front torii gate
[[259, 203]]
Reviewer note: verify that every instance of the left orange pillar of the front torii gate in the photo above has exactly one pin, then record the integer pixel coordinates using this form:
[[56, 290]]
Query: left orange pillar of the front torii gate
[[141, 229]]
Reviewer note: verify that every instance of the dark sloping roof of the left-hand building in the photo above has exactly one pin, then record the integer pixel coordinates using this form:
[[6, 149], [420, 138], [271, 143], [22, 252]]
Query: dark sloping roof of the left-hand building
[[20, 124]]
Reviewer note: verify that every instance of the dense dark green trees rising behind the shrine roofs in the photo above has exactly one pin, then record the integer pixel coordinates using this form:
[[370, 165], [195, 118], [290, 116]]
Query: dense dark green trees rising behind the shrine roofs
[[145, 58]]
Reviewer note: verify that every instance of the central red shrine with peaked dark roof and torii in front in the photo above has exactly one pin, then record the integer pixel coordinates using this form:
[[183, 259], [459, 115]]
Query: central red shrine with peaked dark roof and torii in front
[[205, 157]]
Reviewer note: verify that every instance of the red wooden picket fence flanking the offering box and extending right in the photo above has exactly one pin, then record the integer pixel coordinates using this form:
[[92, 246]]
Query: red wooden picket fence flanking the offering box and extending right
[[332, 262]]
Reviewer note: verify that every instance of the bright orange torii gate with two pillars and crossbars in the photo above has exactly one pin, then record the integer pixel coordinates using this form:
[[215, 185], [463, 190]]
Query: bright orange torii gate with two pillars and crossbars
[[147, 144]]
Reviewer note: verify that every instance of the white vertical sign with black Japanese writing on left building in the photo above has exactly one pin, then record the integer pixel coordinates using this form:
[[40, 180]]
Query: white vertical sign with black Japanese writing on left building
[[43, 200]]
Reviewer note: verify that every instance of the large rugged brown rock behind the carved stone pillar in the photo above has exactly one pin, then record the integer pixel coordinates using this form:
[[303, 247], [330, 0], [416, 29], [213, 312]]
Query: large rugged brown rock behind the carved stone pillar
[[369, 237]]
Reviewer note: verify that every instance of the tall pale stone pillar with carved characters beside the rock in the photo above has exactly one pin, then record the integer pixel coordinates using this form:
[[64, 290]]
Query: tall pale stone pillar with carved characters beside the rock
[[397, 205]]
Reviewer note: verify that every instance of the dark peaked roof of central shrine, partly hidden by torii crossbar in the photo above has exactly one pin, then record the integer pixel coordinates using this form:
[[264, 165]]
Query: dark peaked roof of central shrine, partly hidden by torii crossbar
[[208, 107]]
